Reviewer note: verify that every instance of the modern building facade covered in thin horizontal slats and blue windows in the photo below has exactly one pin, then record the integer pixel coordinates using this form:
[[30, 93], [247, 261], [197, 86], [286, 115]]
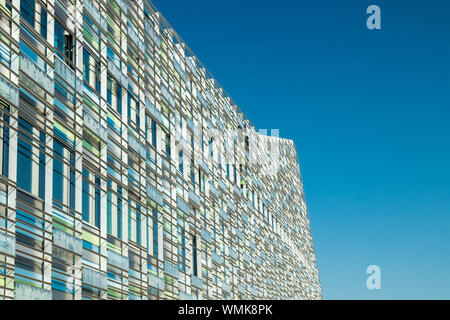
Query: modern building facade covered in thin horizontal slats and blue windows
[[127, 172]]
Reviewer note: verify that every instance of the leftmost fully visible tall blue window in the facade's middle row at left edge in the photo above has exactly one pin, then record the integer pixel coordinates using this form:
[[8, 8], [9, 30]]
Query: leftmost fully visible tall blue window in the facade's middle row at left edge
[[31, 159]]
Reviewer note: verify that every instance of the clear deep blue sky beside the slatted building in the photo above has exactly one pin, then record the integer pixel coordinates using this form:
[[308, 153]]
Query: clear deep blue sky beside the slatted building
[[369, 111]]
